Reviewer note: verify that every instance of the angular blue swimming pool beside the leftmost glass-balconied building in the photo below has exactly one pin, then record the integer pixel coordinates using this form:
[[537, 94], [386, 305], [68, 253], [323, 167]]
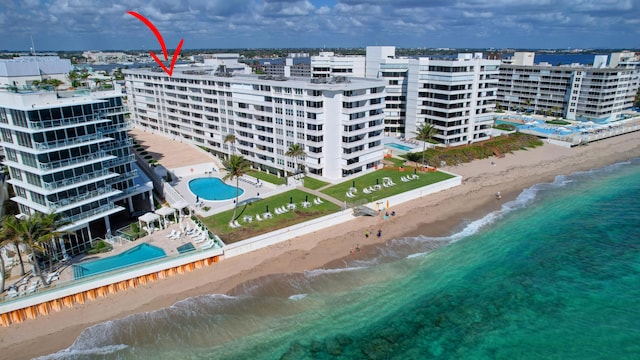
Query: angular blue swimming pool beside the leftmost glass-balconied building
[[137, 255]]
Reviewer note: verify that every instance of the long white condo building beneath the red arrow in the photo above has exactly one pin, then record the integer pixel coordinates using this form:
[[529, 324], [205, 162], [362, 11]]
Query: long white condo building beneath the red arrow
[[338, 120]]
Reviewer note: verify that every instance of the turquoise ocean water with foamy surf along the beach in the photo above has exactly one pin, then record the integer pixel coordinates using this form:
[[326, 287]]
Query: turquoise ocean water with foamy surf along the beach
[[554, 273]]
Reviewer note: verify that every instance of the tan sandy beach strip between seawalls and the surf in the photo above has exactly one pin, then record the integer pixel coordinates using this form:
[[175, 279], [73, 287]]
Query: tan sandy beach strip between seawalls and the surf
[[438, 214]]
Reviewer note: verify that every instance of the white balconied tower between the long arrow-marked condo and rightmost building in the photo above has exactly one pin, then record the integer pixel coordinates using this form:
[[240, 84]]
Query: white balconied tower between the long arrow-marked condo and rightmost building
[[456, 96]]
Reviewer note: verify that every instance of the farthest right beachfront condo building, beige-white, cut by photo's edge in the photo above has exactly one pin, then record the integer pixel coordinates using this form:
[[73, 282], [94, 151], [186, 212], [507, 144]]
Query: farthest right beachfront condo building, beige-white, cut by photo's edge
[[575, 92]]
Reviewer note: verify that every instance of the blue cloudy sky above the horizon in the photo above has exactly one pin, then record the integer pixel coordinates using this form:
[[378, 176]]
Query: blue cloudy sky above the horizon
[[105, 25]]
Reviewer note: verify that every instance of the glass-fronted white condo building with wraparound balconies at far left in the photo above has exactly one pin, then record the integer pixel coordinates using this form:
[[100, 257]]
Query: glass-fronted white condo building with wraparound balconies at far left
[[69, 152]]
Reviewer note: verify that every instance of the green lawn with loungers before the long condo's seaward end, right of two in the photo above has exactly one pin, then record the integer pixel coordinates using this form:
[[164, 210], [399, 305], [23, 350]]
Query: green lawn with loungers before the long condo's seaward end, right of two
[[339, 191]]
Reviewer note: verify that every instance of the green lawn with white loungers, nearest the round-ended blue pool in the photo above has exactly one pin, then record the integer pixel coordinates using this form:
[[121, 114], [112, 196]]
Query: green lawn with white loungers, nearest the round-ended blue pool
[[219, 223]]
